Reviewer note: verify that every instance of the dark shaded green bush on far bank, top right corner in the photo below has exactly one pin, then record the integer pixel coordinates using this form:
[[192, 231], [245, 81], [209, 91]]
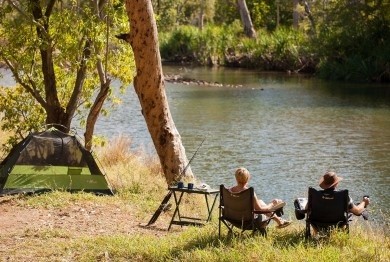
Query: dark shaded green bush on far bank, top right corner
[[353, 42]]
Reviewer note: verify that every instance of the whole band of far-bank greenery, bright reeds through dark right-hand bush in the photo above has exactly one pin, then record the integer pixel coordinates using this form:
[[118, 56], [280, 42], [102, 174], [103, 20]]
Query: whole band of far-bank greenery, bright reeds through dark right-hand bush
[[355, 49]]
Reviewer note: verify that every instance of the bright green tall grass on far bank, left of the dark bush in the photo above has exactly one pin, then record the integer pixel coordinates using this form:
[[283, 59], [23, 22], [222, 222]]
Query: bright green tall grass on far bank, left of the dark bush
[[282, 50]]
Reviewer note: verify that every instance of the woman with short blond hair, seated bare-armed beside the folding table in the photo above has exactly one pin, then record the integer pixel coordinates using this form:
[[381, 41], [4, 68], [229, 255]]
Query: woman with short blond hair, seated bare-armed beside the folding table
[[242, 178]]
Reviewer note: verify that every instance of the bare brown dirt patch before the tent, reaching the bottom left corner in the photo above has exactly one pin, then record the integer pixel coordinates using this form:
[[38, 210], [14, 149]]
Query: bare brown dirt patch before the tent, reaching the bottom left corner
[[86, 219]]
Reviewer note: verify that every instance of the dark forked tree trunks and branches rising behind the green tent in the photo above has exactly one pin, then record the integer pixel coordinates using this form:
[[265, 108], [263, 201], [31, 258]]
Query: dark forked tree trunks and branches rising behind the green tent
[[57, 114]]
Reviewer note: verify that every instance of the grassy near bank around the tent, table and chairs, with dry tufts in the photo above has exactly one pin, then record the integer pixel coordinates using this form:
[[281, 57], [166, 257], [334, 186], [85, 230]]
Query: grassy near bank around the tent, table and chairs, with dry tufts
[[140, 188]]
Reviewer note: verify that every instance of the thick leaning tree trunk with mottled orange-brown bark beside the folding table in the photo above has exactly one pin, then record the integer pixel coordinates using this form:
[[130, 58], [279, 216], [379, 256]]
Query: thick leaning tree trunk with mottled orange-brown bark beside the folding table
[[149, 86]]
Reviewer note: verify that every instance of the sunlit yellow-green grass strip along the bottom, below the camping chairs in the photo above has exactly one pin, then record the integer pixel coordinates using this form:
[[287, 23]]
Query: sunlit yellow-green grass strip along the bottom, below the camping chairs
[[202, 244]]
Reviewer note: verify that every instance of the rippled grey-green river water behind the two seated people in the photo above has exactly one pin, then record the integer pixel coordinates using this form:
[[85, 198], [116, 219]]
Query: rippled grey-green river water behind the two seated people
[[286, 129]]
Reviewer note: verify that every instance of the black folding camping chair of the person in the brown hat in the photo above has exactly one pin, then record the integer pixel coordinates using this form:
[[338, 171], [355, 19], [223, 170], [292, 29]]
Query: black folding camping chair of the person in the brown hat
[[327, 209]]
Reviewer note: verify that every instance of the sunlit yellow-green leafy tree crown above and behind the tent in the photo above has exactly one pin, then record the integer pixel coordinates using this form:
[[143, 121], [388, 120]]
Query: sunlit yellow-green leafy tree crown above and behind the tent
[[61, 55]]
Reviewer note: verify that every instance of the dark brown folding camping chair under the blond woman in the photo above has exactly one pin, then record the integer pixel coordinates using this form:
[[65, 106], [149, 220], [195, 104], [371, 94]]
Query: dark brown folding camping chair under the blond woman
[[236, 210]]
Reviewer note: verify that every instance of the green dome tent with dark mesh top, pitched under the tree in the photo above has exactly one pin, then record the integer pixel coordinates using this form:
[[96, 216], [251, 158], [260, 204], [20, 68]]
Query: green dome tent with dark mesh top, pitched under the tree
[[51, 160]]
